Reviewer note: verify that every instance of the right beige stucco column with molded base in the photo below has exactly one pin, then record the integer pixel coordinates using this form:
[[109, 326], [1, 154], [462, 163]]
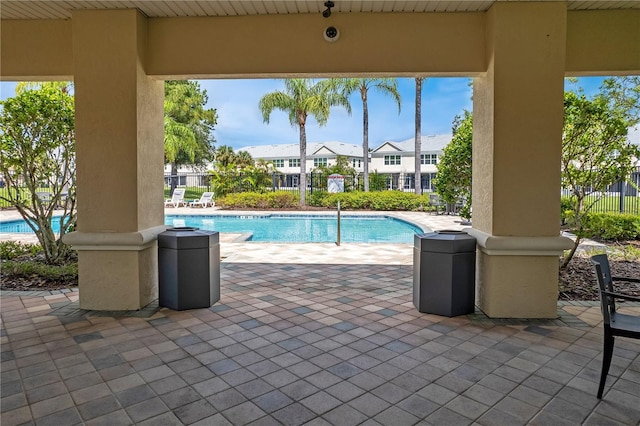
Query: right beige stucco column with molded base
[[517, 135]]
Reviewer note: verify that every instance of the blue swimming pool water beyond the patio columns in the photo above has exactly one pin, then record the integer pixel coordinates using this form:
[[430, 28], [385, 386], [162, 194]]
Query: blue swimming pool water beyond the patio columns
[[286, 228]]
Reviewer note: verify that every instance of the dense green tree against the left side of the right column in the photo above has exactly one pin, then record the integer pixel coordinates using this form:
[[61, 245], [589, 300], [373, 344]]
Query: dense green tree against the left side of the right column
[[453, 180]]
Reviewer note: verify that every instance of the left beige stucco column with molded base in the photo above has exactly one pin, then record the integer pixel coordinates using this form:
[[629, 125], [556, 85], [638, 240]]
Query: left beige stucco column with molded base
[[119, 143]]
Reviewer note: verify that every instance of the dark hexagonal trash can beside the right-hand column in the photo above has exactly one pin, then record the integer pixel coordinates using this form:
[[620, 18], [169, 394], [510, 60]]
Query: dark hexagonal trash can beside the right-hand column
[[444, 264]]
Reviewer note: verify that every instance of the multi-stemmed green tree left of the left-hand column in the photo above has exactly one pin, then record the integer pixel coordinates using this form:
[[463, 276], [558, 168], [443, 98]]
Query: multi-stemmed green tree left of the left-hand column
[[37, 155]]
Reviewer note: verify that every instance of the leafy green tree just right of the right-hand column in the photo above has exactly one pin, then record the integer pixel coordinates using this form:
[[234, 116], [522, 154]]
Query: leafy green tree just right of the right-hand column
[[595, 154]]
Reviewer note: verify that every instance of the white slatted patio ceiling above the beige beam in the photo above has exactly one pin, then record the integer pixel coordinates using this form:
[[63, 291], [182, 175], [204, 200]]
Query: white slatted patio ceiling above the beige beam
[[19, 9]]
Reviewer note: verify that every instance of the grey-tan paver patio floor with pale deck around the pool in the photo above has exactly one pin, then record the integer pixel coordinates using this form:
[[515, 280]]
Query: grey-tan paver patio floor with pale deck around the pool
[[322, 335]]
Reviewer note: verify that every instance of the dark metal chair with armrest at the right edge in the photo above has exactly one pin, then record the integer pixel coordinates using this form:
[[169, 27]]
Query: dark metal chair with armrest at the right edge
[[615, 323]]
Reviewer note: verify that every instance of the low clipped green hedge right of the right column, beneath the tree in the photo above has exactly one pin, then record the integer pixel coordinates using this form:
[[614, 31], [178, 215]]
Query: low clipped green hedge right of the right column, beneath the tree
[[611, 226]]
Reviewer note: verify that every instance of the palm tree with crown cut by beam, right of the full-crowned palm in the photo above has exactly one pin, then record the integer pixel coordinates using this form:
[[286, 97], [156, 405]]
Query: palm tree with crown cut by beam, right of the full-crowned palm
[[387, 86]]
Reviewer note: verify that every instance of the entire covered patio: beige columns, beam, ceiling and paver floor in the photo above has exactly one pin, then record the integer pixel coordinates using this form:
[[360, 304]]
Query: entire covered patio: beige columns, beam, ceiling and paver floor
[[331, 343]]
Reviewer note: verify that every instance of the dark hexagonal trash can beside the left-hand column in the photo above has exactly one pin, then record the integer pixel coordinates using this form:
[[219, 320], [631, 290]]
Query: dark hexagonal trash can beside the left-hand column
[[189, 268]]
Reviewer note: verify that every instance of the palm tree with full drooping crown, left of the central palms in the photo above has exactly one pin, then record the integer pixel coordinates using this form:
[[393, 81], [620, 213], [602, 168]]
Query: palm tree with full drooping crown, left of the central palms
[[301, 98]]
